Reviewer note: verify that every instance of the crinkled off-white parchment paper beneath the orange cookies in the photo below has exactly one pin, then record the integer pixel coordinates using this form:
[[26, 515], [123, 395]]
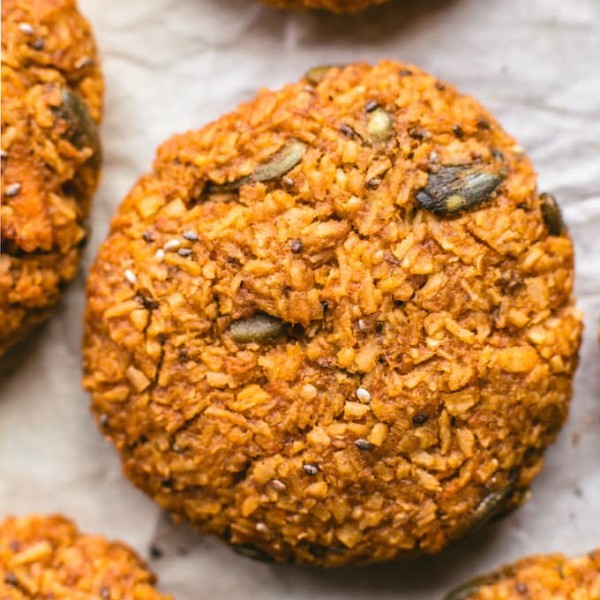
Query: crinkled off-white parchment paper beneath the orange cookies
[[171, 65]]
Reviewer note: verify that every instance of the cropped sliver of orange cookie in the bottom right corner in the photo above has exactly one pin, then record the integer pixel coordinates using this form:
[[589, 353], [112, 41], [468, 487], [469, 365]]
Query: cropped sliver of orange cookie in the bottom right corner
[[538, 578]]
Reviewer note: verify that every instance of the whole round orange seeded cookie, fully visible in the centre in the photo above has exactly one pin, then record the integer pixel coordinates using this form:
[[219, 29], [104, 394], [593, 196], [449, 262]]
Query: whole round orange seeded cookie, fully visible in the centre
[[335, 326]]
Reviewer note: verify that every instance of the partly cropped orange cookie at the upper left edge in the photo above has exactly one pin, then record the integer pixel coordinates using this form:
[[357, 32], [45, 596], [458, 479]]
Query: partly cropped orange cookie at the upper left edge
[[51, 104]]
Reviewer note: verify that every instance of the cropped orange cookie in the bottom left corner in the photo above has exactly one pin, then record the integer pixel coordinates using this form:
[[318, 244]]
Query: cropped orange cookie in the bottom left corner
[[47, 557]]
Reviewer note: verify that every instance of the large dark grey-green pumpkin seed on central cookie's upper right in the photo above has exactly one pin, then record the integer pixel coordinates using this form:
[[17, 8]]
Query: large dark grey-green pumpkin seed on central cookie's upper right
[[454, 189]]
